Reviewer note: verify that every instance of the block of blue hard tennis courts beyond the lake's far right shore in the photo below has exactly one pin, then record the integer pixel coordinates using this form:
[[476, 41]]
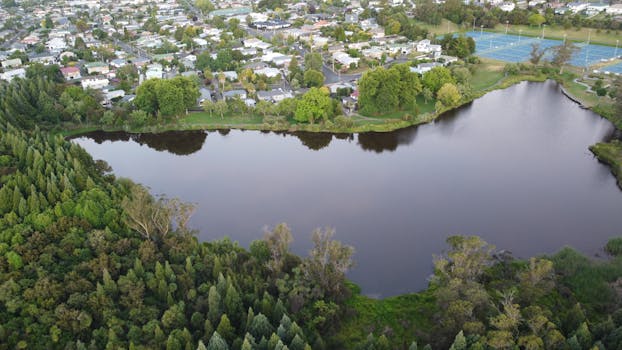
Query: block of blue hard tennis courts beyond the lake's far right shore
[[516, 48]]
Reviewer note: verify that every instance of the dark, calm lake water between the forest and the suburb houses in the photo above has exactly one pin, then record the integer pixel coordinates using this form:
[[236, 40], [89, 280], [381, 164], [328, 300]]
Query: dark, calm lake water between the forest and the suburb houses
[[513, 167]]
